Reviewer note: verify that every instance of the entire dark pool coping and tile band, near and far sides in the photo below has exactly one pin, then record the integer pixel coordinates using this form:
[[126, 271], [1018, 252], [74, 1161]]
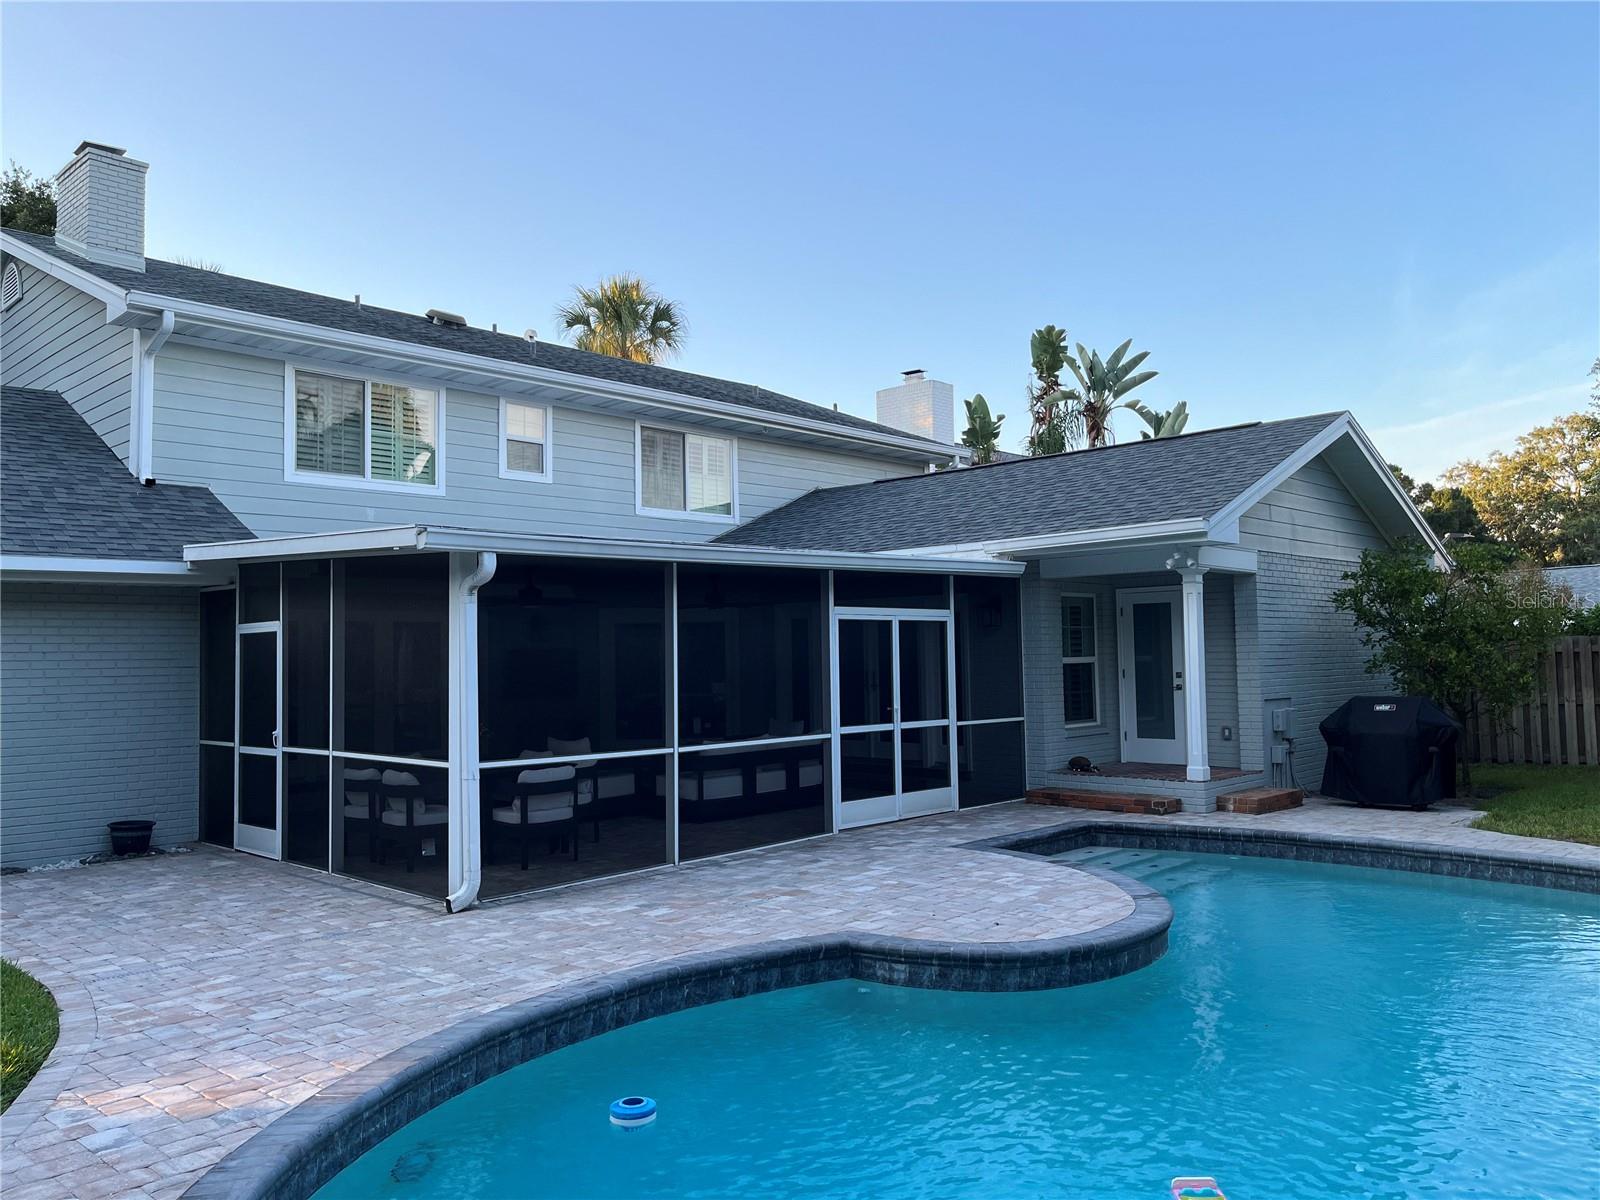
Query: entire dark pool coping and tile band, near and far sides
[[302, 1151]]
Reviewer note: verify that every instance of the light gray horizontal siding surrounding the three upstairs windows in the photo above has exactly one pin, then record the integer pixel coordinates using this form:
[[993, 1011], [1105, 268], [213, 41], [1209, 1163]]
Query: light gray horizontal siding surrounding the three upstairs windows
[[220, 423]]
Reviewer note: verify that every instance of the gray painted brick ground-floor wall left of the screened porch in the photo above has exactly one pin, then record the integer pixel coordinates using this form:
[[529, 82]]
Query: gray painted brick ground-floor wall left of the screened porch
[[100, 718]]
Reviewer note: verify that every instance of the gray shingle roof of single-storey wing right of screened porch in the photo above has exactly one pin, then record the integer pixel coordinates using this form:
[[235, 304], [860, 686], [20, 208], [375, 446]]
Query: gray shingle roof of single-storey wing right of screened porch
[[1132, 484]]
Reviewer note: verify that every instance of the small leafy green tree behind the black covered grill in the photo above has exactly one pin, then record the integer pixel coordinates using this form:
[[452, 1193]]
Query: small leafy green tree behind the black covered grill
[[1468, 639]]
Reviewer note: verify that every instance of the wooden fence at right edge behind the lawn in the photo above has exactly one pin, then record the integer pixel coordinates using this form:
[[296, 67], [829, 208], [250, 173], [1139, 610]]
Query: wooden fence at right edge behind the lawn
[[1559, 724]]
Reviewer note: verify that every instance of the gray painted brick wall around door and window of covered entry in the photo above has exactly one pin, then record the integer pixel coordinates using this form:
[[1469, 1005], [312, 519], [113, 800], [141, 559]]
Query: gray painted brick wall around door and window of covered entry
[[1050, 743]]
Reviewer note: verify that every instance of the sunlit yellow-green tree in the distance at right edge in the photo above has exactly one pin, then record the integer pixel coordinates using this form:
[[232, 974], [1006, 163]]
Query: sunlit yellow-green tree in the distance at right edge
[[1542, 498]]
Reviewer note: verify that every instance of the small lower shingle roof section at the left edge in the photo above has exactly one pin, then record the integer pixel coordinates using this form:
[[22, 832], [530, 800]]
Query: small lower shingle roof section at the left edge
[[65, 494]]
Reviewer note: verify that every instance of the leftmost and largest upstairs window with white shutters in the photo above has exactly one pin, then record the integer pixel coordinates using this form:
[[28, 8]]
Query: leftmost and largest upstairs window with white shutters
[[362, 431]]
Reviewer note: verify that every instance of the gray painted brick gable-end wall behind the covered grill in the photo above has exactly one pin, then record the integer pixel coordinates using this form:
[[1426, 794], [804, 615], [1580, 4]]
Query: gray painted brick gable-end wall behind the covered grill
[[1308, 652]]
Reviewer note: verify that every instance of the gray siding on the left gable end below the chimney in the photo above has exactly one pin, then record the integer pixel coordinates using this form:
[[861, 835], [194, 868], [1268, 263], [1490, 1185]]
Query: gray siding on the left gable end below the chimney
[[57, 338]]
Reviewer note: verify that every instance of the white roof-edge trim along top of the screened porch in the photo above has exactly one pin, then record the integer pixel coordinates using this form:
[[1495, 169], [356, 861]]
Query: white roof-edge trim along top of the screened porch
[[559, 546]]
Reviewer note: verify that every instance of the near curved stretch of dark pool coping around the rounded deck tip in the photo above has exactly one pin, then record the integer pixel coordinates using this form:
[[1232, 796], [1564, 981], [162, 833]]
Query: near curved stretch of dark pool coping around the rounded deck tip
[[303, 1150]]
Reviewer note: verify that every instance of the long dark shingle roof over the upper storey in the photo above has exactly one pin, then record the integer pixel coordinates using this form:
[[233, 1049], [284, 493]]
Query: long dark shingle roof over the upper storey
[[231, 292]]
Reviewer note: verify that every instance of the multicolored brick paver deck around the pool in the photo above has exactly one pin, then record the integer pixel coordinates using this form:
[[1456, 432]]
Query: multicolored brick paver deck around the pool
[[207, 994]]
